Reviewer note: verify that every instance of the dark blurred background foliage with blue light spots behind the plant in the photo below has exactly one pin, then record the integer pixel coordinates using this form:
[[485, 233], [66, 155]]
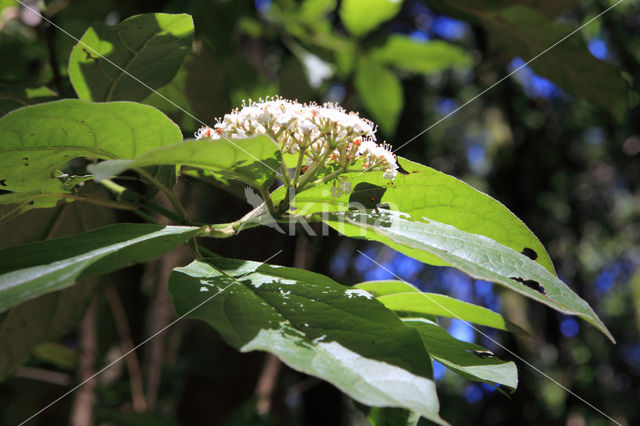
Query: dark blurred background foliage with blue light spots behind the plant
[[567, 165]]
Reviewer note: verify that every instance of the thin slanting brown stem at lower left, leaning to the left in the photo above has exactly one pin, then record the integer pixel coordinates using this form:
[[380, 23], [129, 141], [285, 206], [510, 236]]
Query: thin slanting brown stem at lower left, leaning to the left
[[133, 366]]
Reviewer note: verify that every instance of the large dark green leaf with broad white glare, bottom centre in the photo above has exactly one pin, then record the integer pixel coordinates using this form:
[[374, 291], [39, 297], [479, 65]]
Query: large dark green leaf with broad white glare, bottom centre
[[314, 325]]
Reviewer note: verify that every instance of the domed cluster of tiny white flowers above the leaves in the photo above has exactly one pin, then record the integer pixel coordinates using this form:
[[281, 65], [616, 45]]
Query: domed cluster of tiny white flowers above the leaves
[[324, 134]]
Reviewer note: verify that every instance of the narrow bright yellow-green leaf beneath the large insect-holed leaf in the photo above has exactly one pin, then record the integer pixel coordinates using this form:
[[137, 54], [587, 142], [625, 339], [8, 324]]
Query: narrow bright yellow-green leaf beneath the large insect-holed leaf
[[410, 301]]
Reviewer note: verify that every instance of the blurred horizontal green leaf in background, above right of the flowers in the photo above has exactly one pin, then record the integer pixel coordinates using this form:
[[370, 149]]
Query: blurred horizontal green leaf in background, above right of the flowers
[[422, 57]]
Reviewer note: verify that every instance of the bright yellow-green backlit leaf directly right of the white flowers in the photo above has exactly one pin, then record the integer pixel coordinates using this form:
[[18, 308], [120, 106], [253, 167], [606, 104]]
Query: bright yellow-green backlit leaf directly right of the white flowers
[[425, 192]]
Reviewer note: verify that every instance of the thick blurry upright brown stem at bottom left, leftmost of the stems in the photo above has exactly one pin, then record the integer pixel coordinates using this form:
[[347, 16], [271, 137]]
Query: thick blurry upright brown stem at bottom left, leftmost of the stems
[[85, 397]]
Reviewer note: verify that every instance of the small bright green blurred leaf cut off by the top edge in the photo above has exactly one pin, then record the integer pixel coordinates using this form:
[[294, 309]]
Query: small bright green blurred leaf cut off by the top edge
[[362, 16]]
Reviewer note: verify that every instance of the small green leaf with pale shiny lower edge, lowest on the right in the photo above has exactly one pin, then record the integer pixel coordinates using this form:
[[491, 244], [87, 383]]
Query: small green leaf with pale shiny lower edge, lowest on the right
[[461, 357]]
